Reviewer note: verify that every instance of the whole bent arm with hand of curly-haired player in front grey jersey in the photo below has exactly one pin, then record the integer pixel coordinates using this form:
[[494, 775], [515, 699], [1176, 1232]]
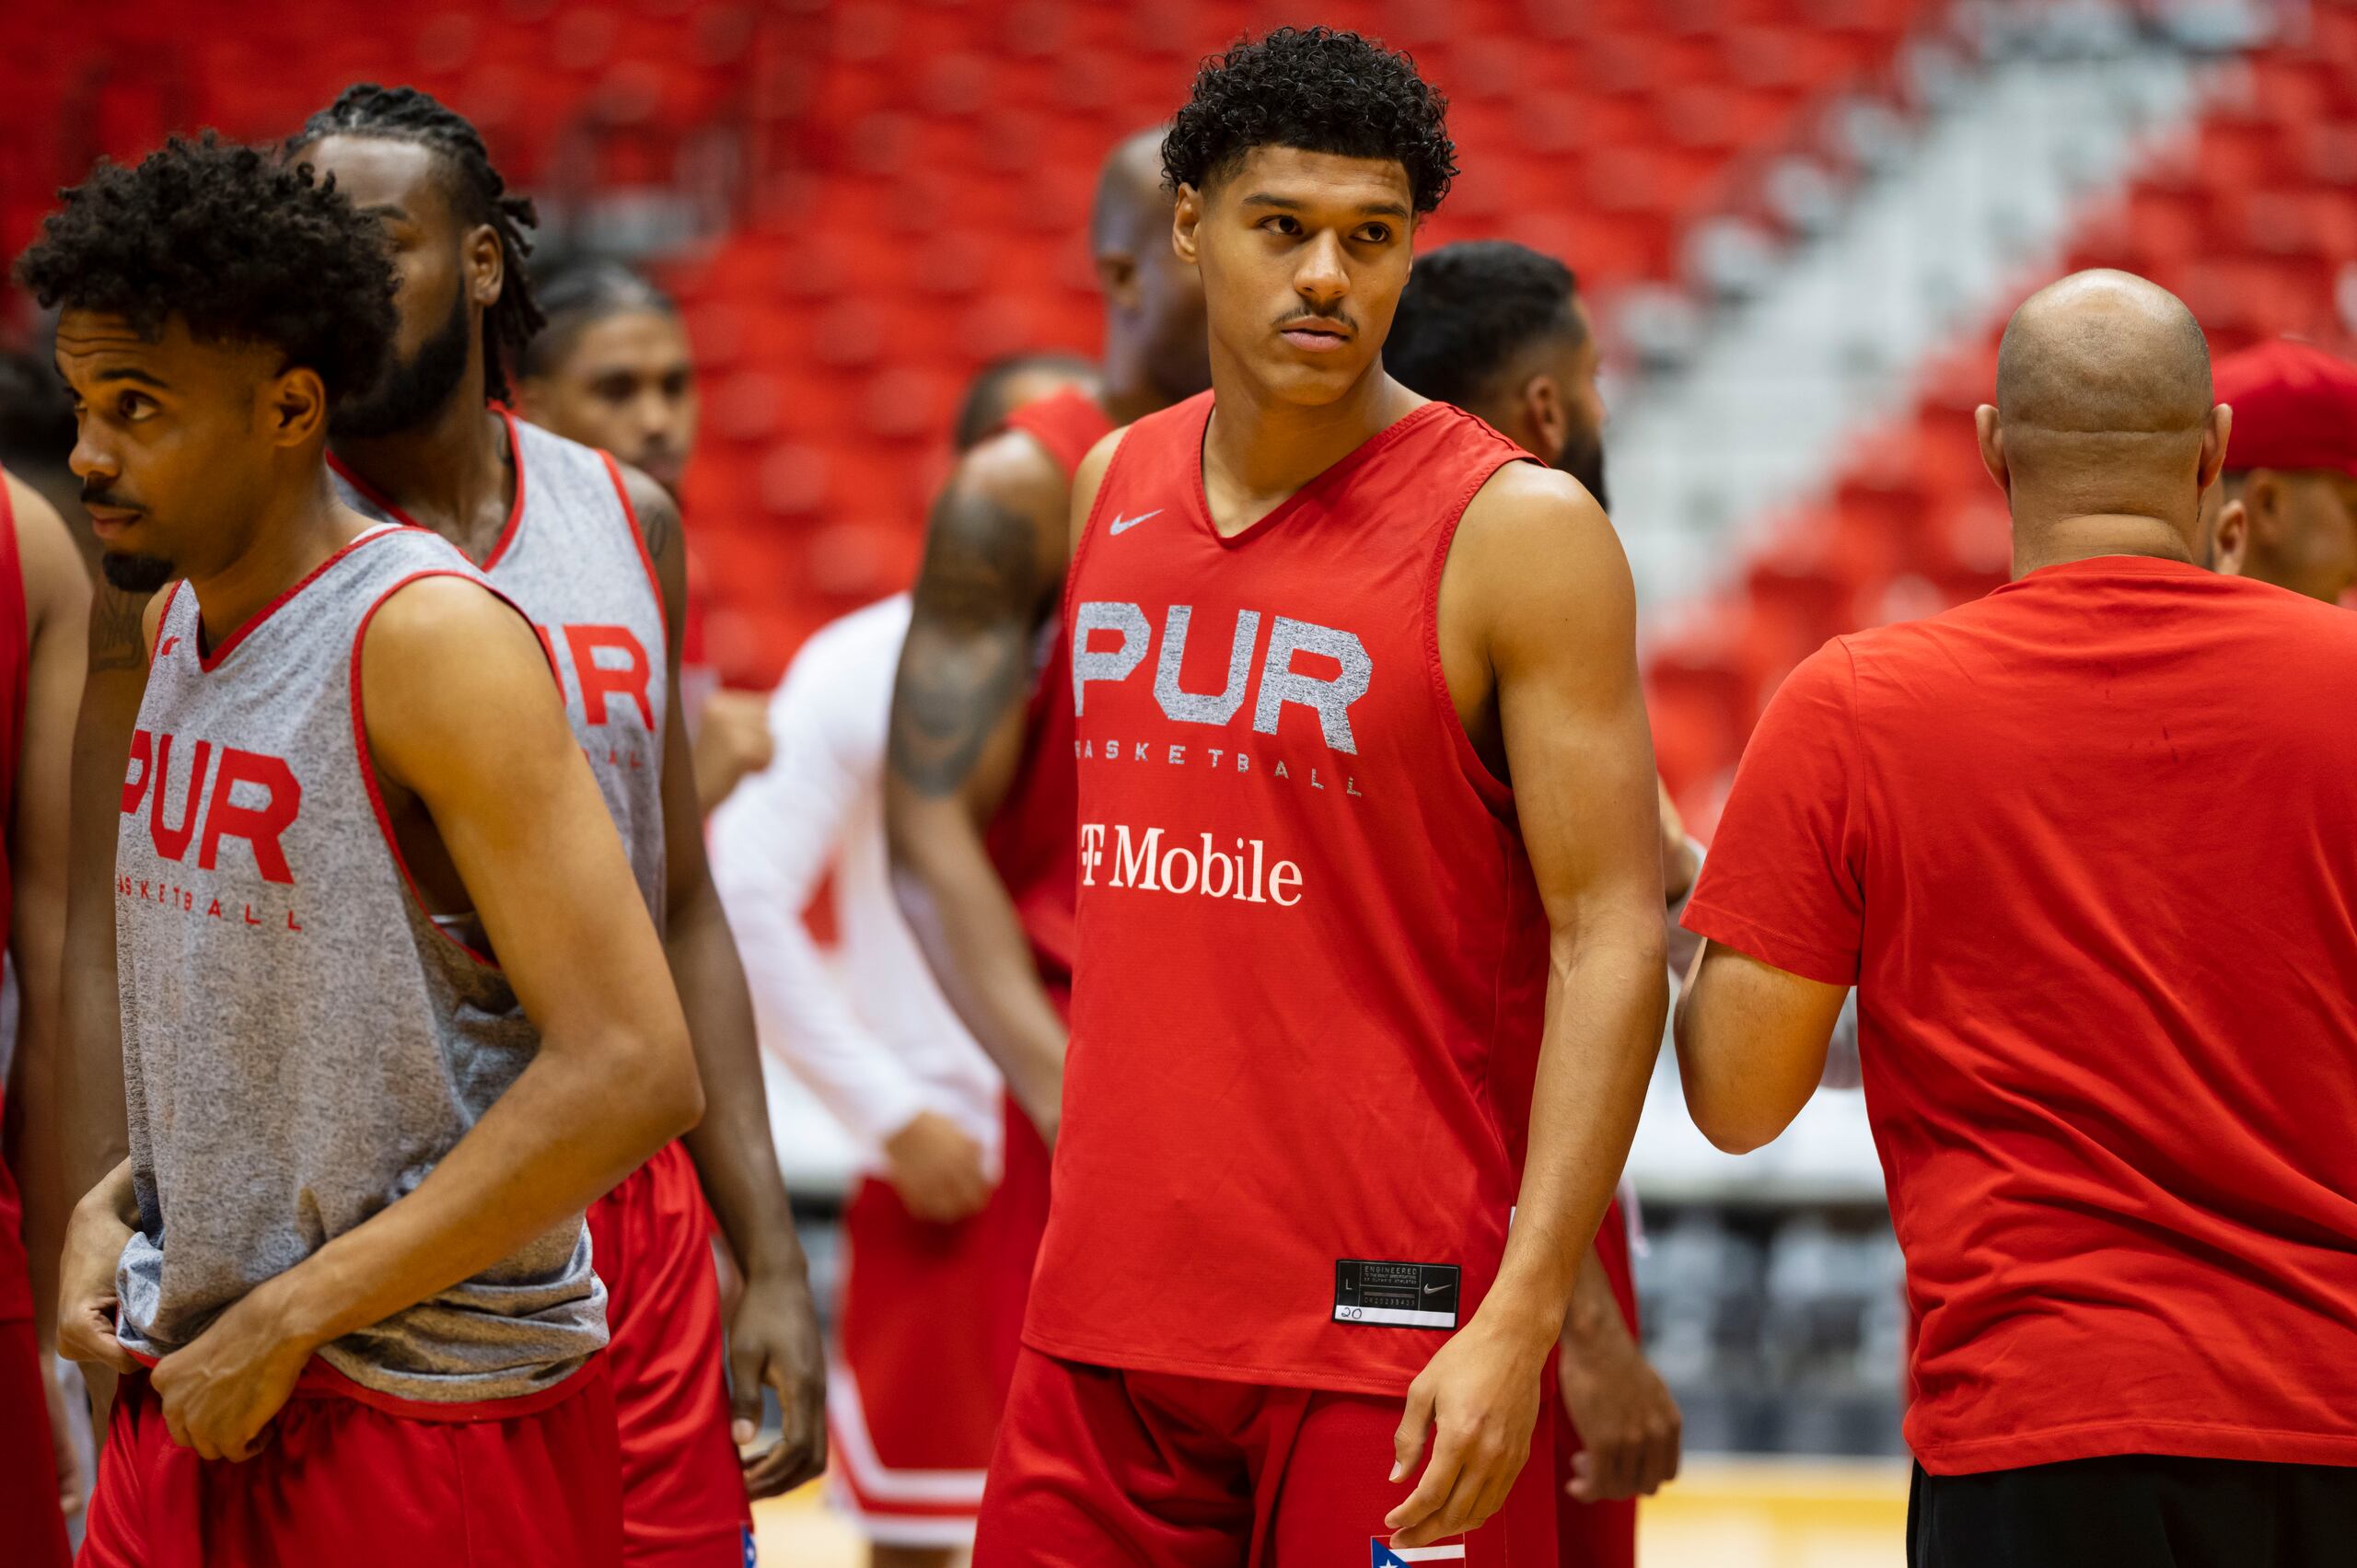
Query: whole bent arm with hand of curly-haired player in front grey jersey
[[466, 723]]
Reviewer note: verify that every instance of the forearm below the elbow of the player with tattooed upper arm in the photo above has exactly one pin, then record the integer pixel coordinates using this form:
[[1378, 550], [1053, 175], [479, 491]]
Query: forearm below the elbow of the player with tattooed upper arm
[[975, 942]]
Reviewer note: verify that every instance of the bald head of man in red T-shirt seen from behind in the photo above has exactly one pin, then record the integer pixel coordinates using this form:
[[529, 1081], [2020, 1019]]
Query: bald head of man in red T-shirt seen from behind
[[2104, 407]]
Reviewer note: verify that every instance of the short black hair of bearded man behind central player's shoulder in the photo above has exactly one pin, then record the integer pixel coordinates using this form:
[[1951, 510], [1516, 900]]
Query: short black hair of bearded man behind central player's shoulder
[[1470, 310]]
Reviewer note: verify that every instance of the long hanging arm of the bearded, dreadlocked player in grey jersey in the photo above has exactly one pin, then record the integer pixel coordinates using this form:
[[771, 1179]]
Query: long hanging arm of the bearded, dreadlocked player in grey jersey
[[774, 1336]]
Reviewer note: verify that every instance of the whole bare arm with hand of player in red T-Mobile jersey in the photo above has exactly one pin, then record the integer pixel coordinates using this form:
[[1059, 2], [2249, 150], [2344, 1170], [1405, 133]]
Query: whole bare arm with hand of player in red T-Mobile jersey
[[1538, 612]]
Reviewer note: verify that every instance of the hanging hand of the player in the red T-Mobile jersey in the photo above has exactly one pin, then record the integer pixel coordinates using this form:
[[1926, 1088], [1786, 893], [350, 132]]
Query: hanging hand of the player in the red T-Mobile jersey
[[1479, 1397]]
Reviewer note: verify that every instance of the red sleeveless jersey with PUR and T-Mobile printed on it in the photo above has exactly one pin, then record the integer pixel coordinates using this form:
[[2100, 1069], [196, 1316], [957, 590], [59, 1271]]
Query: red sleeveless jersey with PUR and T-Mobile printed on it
[[1312, 956]]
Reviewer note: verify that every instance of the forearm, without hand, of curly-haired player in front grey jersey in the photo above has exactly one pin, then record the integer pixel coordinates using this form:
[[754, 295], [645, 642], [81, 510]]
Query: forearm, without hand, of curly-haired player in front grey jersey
[[557, 1140]]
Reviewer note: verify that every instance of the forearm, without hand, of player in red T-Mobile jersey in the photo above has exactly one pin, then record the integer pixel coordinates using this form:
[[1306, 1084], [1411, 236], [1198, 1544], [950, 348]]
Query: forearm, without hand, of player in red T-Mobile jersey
[[1604, 1029]]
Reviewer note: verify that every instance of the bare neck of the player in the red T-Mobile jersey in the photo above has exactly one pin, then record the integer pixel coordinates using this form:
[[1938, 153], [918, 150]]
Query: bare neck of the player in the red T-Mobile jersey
[[1262, 449]]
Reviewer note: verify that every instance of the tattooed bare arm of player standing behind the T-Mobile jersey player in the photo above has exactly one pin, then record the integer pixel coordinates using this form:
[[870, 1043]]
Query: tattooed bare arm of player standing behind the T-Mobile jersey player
[[993, 565]]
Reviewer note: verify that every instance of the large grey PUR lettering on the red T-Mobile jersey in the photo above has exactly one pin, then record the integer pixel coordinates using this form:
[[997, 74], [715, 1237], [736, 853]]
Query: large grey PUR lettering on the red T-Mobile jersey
[[1279, 683]]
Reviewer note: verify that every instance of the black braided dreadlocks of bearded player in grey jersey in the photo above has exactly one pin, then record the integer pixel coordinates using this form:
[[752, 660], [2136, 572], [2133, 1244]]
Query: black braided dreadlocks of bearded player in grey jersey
[[477, 190]]
